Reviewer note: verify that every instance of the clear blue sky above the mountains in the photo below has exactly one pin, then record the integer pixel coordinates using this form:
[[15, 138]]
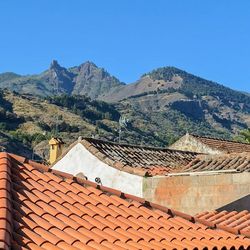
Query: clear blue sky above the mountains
[[129, 37]]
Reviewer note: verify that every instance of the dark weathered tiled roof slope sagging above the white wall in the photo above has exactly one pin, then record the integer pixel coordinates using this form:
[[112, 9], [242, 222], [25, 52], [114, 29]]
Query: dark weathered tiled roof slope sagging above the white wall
[[137, 159]]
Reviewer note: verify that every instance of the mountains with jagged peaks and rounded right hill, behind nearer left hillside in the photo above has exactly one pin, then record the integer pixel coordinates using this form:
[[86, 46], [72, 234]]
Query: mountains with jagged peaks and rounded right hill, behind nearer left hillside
[[166, 102]]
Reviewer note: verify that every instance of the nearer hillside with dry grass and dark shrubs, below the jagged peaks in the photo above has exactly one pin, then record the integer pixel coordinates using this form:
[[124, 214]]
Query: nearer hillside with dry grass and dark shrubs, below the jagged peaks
[[32, 121]]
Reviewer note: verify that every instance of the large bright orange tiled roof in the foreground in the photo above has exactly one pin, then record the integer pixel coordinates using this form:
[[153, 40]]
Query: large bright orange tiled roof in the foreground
[[42, 208]]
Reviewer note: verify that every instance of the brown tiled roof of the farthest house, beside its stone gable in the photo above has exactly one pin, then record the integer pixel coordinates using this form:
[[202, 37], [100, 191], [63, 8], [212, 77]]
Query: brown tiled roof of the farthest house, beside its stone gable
[[224, 145]]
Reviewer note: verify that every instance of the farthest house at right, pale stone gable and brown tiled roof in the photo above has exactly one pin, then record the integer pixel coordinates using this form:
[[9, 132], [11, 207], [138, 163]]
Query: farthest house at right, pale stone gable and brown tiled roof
[[208, 145]]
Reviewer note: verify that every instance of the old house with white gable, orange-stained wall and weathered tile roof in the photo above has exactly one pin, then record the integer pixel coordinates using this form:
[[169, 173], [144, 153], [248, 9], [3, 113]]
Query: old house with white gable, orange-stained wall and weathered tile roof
[[183, 180]]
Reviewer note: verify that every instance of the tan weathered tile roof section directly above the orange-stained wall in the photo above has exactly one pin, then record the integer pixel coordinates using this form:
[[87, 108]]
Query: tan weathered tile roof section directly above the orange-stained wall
[[239, 162]]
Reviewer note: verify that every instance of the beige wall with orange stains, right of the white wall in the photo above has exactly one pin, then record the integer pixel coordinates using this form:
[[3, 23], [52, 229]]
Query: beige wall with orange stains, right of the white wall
[[197, 193]]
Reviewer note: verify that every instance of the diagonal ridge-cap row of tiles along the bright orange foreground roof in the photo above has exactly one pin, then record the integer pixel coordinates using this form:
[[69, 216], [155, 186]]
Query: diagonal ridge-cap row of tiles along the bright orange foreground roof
[[122, 195]]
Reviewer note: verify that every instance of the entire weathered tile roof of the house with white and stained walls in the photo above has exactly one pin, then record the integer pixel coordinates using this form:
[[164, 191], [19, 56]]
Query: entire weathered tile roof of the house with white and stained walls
[[149, 161]]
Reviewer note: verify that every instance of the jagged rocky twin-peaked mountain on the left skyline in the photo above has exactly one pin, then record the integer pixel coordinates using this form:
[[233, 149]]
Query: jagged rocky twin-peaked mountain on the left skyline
[[86, 79]]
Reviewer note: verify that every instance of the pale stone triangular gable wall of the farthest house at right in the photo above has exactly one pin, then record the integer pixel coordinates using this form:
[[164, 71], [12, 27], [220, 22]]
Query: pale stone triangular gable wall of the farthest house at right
[[189, 143]]
